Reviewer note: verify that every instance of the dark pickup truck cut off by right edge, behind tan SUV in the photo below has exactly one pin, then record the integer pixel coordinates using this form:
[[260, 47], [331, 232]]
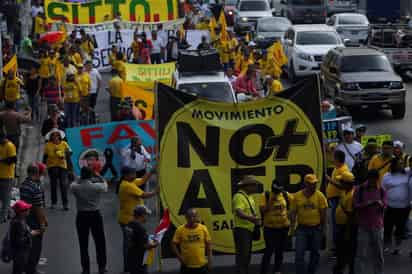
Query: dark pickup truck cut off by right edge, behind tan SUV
[[395, 40]]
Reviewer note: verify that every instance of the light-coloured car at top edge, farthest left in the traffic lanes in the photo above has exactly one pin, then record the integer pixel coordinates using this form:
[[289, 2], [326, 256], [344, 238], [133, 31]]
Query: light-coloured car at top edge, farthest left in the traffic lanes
[[248, 12]]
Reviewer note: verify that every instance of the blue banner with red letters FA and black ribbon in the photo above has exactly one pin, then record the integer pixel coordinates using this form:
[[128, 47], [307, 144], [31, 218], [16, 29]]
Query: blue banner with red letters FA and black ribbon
[[108, 140]]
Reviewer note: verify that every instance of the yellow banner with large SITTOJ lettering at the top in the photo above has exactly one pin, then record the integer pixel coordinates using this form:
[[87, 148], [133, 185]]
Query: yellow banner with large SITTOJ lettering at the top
[[92, 12]]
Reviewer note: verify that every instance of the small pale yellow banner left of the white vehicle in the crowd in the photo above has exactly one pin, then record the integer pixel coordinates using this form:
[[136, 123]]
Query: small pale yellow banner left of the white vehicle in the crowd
[[146, 75]]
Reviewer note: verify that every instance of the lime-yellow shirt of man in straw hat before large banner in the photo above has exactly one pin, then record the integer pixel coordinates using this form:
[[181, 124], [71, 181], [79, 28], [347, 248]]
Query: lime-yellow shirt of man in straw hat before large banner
[[241, 202]]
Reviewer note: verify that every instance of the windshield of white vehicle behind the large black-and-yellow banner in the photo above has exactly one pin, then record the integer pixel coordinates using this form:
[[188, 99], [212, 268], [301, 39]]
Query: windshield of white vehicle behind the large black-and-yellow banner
[[215, 91]]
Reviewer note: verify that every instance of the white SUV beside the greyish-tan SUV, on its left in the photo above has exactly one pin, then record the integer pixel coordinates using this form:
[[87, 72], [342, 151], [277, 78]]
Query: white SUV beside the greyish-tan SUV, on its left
[[306, 46]]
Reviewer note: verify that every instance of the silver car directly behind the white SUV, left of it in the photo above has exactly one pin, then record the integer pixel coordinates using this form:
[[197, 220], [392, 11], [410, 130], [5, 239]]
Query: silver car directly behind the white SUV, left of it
[[270, 29]]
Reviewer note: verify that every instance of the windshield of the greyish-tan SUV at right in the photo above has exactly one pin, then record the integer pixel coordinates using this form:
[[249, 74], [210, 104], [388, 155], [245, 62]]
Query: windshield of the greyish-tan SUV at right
[[365, 63]]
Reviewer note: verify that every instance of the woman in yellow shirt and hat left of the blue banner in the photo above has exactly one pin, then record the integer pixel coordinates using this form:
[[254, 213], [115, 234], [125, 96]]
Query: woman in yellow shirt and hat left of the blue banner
[[57, 159]]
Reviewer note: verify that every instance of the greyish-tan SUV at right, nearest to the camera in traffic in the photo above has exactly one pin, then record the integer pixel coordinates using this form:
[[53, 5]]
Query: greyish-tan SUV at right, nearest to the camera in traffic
[[363, 78]]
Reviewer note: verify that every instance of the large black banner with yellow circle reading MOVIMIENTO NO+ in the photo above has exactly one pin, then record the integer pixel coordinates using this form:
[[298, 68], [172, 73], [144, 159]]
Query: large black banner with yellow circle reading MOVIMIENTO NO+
[[207, 147]]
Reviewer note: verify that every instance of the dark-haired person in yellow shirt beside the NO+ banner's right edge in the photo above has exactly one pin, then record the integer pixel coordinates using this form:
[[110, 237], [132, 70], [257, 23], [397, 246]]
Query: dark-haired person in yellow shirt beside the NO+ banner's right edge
[[334, 190]]
